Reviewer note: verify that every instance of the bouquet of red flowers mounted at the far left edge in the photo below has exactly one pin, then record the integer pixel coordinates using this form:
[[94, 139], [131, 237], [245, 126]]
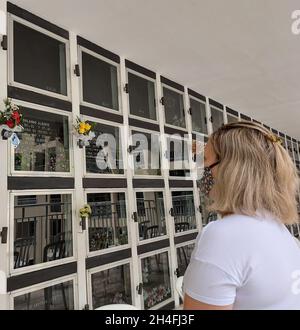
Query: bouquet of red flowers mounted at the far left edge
[[10, 119]]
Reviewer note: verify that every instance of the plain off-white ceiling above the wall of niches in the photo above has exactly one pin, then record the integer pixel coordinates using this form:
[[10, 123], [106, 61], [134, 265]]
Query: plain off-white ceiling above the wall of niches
[[240, 53]]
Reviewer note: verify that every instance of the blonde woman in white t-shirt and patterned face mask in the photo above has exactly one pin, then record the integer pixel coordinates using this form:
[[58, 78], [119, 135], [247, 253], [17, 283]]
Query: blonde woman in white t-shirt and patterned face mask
[[247, 259]]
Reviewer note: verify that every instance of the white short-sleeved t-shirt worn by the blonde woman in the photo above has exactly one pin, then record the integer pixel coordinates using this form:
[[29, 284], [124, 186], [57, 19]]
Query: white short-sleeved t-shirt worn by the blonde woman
[[250, 262]]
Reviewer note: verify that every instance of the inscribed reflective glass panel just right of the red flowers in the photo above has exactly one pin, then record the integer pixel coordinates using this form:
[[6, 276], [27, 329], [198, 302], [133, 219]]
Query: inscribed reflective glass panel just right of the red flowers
[[44, 142]]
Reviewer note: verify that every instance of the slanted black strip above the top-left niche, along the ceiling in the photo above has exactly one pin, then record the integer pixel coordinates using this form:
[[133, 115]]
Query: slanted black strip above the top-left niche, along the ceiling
[[26, 15]]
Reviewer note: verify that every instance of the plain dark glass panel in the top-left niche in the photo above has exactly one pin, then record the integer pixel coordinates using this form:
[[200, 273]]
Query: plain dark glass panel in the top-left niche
[[39, 60]]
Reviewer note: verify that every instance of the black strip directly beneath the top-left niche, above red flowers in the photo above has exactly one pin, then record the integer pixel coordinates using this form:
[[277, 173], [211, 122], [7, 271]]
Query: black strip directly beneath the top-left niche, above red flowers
[[37, 98]]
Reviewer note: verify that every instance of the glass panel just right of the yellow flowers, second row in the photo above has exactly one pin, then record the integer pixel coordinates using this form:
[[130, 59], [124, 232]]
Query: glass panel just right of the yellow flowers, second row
[[104, 154]]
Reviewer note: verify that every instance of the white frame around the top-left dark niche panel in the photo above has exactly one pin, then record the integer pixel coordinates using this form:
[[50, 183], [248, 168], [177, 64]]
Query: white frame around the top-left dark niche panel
[[11, 82]]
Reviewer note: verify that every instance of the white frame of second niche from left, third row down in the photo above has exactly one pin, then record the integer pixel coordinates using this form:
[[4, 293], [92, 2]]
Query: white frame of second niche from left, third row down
[[115, 248]]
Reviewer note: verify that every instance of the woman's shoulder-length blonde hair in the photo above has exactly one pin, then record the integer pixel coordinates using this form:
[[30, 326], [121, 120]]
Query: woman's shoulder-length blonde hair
[[255, 173]]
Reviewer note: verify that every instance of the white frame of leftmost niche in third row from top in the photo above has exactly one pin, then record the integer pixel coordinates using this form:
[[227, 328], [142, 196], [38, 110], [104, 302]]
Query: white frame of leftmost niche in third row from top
[[10, 245]]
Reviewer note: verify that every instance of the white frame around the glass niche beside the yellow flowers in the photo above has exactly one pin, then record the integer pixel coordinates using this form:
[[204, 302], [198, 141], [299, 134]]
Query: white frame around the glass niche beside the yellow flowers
[[122, 149]]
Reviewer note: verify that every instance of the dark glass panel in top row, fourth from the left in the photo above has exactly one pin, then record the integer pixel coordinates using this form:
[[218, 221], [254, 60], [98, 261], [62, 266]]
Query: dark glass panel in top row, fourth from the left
[[174, 108]]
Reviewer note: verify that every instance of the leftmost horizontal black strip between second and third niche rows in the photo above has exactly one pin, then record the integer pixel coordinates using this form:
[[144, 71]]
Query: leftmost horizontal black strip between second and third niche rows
[[28, 183]]
